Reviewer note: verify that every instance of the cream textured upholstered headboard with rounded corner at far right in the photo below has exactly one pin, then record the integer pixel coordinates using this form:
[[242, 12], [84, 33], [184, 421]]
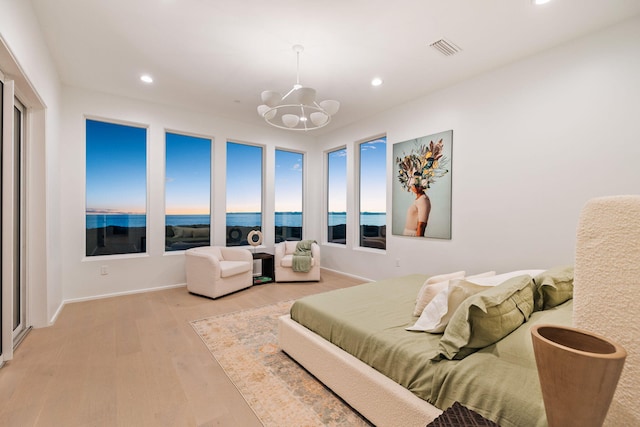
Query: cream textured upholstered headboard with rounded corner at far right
[[607, 290]]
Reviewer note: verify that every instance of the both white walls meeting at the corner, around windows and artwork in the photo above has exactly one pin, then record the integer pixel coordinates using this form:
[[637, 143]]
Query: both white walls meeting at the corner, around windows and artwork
[[532, 142]]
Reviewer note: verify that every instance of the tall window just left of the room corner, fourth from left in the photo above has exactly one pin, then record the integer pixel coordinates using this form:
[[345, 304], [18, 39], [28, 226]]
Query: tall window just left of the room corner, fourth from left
[[288, 195]]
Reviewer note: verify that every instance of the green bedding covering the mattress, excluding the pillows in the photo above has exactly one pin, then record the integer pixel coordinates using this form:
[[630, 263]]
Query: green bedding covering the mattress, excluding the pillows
[[368, 321]]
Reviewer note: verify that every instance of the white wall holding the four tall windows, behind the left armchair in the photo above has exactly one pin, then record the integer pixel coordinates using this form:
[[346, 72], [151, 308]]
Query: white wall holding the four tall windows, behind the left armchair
[[130, 273]]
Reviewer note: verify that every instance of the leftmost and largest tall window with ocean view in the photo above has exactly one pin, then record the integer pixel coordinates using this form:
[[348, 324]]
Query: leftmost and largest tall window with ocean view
[[116, 168]]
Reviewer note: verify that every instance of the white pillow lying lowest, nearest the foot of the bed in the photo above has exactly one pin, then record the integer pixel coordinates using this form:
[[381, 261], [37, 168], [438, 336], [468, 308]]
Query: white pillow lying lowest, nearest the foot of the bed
[[439, 311]]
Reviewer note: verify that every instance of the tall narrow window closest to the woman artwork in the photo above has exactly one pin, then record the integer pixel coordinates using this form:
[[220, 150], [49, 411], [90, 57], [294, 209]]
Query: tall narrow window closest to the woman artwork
[[373, 178]]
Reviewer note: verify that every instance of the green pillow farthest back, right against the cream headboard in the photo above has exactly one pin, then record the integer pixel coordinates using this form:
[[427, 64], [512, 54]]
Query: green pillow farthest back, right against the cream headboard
[[553, 287]]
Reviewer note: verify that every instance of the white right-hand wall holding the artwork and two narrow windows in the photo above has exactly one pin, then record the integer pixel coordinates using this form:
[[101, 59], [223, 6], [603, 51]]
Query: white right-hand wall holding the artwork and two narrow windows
[[532, 142]]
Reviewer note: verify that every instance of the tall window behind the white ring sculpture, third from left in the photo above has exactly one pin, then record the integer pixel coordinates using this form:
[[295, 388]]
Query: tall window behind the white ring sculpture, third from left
[[244, 191]]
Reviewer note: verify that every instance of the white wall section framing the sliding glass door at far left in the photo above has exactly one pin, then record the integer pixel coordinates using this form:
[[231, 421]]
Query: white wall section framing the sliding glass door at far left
[[29, 63]]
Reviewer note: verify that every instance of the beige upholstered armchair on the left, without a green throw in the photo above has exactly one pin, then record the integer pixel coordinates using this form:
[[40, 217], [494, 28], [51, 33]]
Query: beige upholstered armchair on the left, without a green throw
[[214, 271]]
